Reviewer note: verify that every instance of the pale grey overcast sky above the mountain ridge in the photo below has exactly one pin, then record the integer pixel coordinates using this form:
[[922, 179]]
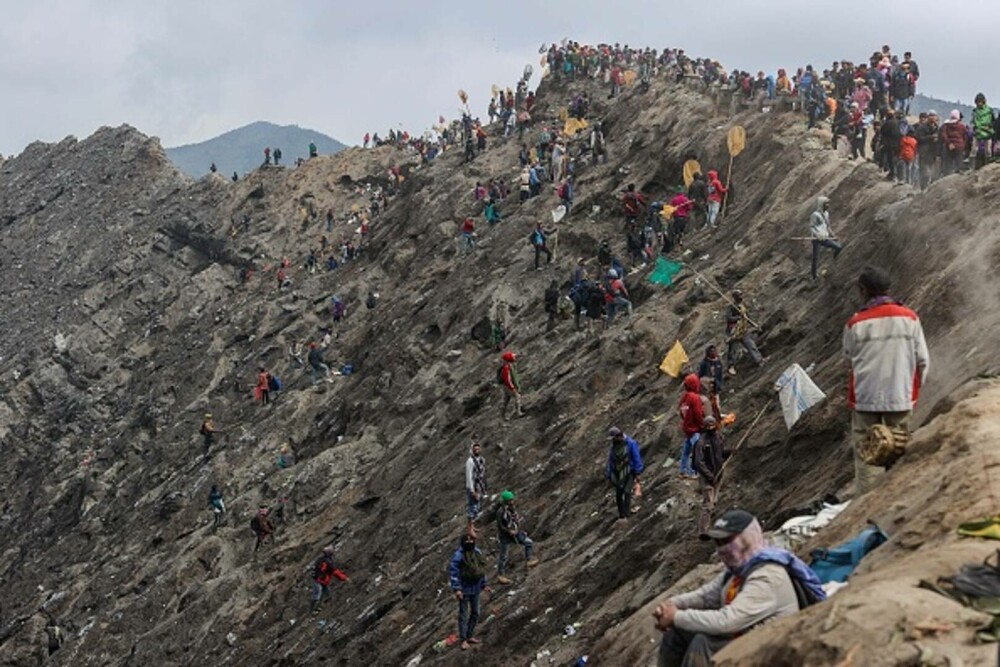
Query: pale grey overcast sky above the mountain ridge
[[186, 70]]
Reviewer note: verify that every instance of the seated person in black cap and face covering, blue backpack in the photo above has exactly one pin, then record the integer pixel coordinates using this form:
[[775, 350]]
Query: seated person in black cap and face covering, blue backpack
[[759, 583]]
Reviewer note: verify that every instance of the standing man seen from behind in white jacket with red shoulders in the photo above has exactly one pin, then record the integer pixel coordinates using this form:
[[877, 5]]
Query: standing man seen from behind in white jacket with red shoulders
[[885, 347]]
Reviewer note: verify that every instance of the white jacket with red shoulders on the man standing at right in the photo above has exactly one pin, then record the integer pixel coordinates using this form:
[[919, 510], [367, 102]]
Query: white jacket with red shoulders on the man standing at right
[[885, 345]]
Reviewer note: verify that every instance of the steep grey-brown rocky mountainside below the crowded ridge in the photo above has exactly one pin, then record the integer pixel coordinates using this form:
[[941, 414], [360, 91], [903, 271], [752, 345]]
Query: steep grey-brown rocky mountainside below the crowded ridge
[[126, 320]]
